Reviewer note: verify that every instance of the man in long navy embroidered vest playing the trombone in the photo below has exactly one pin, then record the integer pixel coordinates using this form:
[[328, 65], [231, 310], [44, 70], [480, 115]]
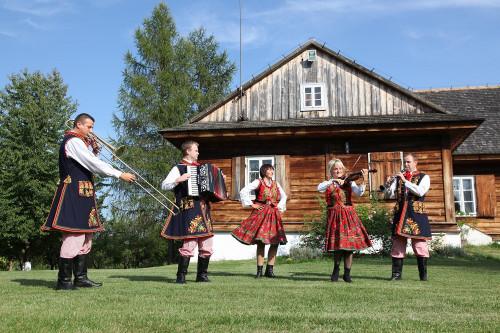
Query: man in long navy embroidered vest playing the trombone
[[74, 210]]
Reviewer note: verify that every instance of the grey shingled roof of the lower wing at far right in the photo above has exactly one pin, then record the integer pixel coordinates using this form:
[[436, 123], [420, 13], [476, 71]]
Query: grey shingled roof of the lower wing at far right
[[480, 102]]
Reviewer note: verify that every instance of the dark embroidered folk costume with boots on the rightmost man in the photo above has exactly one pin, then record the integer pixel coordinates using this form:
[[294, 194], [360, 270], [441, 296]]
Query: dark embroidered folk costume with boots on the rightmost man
[[410, 221]]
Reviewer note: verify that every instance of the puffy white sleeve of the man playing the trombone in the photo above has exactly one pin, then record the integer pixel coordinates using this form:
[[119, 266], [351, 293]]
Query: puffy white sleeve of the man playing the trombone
[[77, 150]]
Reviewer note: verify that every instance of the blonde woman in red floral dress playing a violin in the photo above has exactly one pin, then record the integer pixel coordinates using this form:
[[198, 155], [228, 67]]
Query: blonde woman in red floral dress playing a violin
[[345, 232]]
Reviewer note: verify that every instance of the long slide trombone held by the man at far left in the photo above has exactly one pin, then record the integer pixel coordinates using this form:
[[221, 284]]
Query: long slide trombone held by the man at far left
[[99, 143]]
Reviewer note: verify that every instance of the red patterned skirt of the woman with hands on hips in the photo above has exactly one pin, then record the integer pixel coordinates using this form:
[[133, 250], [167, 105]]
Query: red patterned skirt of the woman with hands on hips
[[262, 226]]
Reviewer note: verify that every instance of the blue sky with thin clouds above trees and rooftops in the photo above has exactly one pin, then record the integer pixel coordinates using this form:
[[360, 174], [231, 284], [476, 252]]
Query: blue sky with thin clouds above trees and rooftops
[[419, 43]]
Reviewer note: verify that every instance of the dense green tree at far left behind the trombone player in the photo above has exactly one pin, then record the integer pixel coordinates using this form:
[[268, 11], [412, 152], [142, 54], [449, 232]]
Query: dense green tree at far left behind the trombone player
[[33, 111]]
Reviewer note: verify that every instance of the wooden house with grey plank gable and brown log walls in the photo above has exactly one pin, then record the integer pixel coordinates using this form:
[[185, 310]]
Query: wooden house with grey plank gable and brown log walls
[[316, 104]]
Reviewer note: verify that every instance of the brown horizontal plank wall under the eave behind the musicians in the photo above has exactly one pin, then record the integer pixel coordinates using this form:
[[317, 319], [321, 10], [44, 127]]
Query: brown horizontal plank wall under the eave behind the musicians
[[306, 171]]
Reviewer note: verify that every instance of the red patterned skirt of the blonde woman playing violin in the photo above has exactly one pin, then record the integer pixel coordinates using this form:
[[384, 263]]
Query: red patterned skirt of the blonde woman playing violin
[[344, 230]]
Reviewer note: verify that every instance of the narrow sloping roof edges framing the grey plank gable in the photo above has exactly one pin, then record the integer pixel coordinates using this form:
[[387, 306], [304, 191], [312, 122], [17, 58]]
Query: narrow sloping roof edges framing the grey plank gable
[[339, 57]]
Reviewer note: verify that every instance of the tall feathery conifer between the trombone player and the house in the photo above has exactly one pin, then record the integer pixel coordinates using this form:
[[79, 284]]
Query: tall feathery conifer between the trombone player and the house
[[166, 81]]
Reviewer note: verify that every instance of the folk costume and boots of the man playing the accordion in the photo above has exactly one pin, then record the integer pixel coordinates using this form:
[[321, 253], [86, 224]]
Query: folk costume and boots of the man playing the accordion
[[192, 224]]
